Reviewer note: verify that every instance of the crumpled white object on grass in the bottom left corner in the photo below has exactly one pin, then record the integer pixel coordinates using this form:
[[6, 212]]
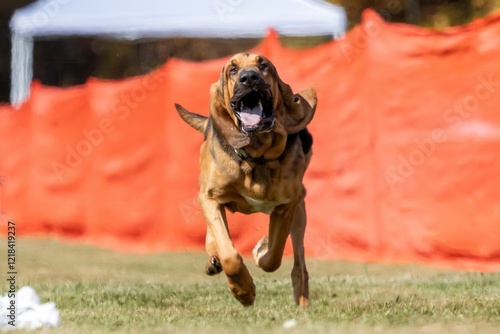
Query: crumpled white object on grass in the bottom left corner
[[29, 312]]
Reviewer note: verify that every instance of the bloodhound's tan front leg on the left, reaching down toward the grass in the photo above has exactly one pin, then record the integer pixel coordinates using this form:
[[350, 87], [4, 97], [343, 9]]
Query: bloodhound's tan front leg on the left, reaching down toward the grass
[[240, 282]]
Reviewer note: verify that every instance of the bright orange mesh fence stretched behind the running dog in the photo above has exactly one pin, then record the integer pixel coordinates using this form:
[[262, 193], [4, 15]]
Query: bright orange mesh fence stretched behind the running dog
[[405, 164]]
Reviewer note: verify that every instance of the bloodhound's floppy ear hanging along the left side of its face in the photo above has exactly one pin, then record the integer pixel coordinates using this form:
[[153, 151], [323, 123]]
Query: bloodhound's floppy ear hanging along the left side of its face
[[220, 110]]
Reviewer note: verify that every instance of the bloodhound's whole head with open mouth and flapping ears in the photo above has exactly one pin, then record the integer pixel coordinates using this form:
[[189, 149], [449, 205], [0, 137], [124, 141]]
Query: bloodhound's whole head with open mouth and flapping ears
[[250, 98]]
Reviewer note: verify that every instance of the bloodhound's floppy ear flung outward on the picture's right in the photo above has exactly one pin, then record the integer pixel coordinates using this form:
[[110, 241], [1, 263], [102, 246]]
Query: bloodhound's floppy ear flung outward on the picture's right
[[300, 107]]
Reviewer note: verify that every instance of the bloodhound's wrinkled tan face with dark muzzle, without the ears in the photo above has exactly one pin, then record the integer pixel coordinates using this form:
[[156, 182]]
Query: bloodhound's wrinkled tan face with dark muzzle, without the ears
[[250, 81]]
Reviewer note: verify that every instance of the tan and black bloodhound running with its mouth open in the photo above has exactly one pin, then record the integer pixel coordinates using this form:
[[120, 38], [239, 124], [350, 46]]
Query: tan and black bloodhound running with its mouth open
[[256, 151]]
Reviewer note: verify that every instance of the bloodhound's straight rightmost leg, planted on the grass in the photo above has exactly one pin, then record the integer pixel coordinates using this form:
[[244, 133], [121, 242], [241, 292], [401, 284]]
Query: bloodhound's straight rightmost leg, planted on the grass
[[300, 277]]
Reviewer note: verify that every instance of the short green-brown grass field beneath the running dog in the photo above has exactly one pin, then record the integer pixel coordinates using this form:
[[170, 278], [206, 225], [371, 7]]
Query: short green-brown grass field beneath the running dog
[[101, 291]]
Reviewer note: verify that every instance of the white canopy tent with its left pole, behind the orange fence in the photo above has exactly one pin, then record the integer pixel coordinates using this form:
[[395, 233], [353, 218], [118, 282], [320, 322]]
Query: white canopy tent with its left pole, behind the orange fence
[[136, 19]]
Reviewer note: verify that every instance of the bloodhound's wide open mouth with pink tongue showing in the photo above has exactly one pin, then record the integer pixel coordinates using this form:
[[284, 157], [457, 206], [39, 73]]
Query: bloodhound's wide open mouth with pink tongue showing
[[254, 111]]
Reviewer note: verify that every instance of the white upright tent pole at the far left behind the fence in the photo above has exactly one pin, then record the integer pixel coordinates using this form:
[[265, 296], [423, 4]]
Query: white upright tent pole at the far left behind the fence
[[21, 72]]
